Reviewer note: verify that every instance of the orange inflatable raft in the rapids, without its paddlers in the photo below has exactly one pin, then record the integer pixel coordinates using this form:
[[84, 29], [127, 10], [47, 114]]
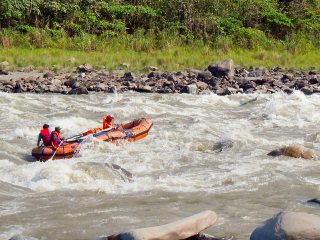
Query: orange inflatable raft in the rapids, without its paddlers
[[132, 131]]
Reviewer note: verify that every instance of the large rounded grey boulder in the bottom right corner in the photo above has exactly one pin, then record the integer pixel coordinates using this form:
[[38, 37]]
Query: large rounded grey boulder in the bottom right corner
[[289, 226]]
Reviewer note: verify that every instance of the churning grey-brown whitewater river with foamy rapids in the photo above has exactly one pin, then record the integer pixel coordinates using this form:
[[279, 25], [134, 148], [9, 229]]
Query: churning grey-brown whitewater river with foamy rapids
[[204, 152]]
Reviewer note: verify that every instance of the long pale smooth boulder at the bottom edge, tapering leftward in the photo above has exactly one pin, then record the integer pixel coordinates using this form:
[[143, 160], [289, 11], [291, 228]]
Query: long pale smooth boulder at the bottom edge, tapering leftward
[[182, 229]]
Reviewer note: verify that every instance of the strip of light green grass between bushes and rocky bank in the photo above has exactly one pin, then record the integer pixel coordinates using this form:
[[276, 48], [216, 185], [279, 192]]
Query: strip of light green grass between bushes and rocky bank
[[171, 58]]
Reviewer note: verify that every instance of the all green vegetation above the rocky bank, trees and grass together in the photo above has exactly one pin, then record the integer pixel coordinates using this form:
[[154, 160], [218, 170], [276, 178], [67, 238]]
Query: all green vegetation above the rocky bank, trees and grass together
[[171, 34]]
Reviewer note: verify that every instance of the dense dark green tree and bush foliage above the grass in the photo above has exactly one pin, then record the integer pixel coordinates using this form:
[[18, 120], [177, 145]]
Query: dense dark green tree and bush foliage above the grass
[[202, 19]]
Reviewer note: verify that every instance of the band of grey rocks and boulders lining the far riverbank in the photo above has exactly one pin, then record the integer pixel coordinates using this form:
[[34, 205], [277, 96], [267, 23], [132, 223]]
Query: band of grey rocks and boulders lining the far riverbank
[[221, 78]]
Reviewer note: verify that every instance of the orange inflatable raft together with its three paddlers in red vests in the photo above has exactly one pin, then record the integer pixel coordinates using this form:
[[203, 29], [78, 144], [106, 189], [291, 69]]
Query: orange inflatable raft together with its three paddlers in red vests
[[54, 146]]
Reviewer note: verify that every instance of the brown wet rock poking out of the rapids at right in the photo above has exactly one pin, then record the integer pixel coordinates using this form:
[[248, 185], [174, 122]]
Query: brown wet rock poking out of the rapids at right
[[293, 151]]
